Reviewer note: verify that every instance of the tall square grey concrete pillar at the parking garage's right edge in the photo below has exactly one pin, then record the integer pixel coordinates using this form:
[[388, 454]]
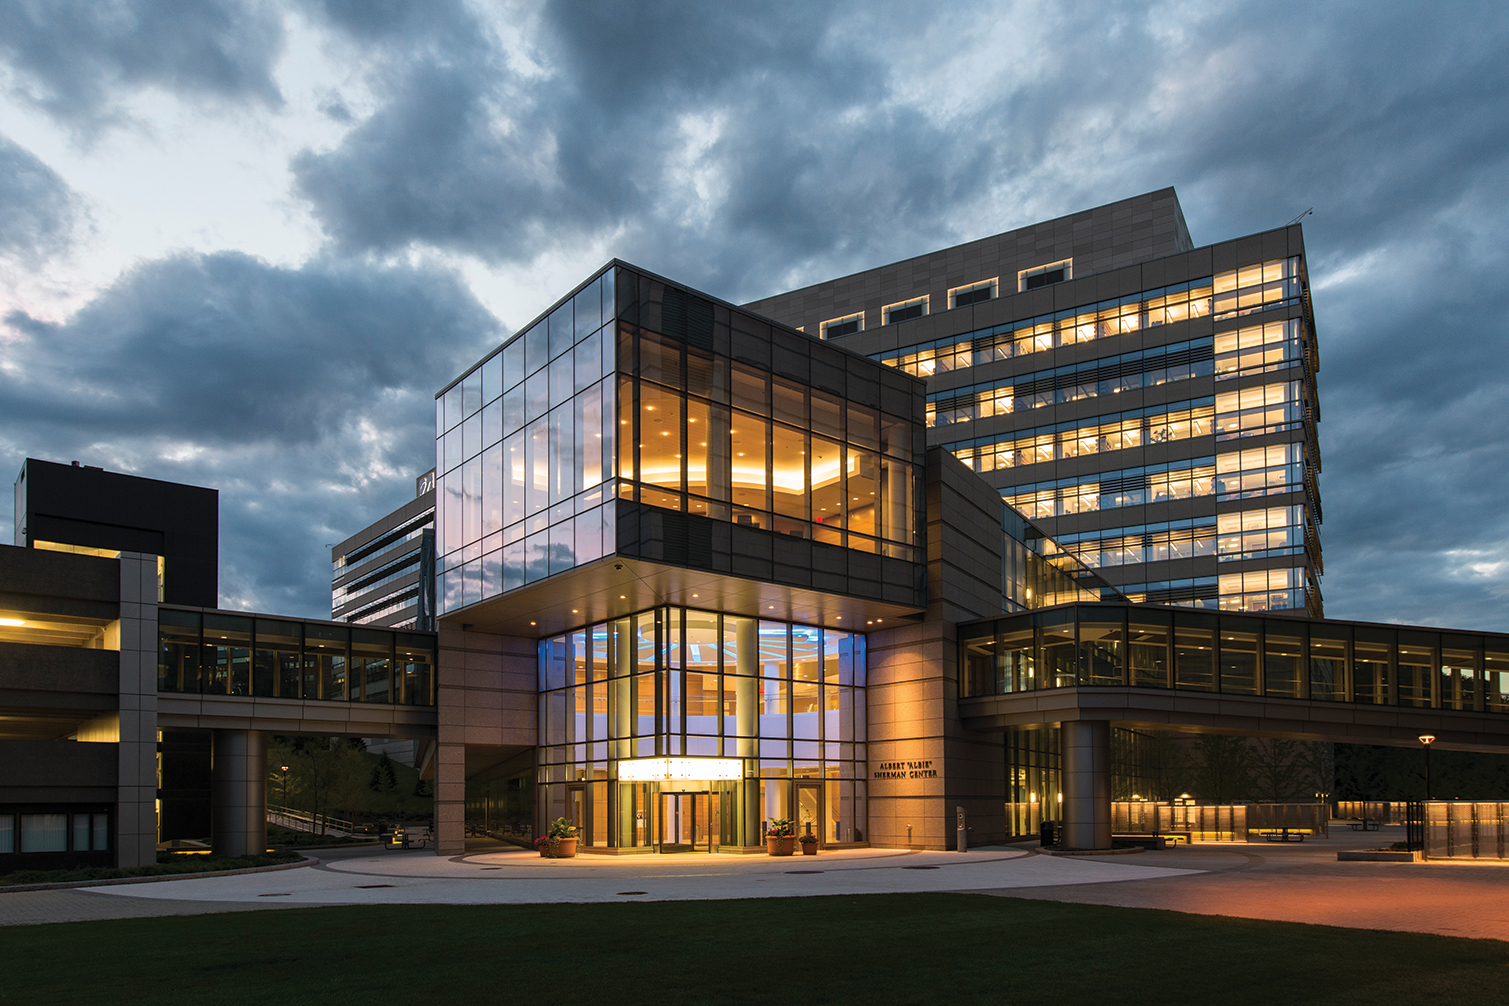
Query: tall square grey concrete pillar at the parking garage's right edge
[[135, 636]]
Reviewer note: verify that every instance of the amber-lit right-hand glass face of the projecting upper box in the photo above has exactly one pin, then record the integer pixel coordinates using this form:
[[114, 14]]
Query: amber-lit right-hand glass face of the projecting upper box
[[722, 440]]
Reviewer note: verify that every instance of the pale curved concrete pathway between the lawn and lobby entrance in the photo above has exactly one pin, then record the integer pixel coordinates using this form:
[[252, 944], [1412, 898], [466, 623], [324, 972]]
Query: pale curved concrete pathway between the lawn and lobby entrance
[[514, 879]]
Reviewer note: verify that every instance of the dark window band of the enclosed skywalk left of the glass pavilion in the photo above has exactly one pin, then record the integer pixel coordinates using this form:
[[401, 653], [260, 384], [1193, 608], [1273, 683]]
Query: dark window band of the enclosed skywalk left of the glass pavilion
[[235, 655]]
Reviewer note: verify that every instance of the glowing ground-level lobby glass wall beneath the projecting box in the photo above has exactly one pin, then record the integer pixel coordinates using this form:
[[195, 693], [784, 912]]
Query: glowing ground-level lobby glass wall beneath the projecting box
[[785, 701]]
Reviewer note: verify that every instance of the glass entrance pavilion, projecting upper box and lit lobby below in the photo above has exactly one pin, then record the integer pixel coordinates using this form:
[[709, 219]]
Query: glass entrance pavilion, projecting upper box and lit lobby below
[[642, 423]]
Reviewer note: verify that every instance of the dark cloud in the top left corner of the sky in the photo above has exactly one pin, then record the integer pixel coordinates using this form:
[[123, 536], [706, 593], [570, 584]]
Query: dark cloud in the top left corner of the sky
[[78, 60]]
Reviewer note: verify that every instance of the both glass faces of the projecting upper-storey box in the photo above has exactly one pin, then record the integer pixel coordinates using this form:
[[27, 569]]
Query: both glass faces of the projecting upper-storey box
[[632, 390]]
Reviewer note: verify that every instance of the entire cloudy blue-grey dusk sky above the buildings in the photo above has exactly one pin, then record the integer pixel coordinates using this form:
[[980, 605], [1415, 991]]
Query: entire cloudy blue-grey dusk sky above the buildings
[[245, 242]]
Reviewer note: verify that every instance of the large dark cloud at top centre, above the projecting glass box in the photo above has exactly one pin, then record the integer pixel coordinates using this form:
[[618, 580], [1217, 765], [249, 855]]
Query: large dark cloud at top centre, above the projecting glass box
[[476, 155]]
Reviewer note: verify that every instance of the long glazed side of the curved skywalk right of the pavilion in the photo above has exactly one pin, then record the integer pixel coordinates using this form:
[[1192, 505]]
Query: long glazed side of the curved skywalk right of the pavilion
[[1238, 655]]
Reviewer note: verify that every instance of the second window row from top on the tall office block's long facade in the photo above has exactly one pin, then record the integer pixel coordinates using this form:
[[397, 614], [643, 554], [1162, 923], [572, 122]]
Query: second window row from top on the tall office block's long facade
[[1095, 379]]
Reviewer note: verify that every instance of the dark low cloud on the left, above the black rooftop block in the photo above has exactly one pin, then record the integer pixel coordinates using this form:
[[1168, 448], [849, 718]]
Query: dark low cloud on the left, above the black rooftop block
[[304, 394]]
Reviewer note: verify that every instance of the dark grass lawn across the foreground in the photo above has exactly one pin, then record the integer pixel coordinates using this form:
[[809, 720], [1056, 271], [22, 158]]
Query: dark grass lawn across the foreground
[[868, 949]]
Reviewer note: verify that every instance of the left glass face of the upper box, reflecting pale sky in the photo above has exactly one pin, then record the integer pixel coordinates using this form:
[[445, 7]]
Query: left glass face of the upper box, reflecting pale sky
[[524, 452]]
